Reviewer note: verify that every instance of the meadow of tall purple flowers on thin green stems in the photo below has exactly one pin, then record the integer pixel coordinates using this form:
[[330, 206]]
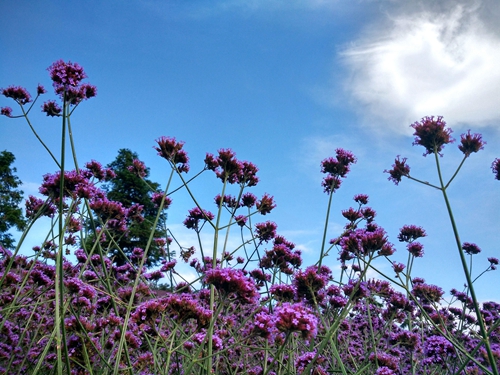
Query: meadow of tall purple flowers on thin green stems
[[253, 309]]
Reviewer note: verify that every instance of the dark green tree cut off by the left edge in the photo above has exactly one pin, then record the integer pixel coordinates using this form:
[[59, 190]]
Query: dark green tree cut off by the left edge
[[11, 214]]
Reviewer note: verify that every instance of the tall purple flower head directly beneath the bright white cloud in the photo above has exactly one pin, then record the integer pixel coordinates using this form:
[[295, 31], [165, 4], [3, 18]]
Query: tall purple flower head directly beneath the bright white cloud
[[432, 134]]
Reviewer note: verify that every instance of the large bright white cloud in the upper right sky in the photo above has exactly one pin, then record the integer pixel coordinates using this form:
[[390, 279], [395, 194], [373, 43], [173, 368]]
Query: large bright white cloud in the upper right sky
[[428, 64]]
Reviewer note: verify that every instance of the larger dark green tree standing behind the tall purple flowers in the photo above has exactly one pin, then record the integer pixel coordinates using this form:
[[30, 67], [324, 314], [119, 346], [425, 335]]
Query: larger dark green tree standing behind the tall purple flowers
[[129, 188]]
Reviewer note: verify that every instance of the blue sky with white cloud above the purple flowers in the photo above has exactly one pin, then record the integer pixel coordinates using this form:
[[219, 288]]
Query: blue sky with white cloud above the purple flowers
[[283, 84]]
